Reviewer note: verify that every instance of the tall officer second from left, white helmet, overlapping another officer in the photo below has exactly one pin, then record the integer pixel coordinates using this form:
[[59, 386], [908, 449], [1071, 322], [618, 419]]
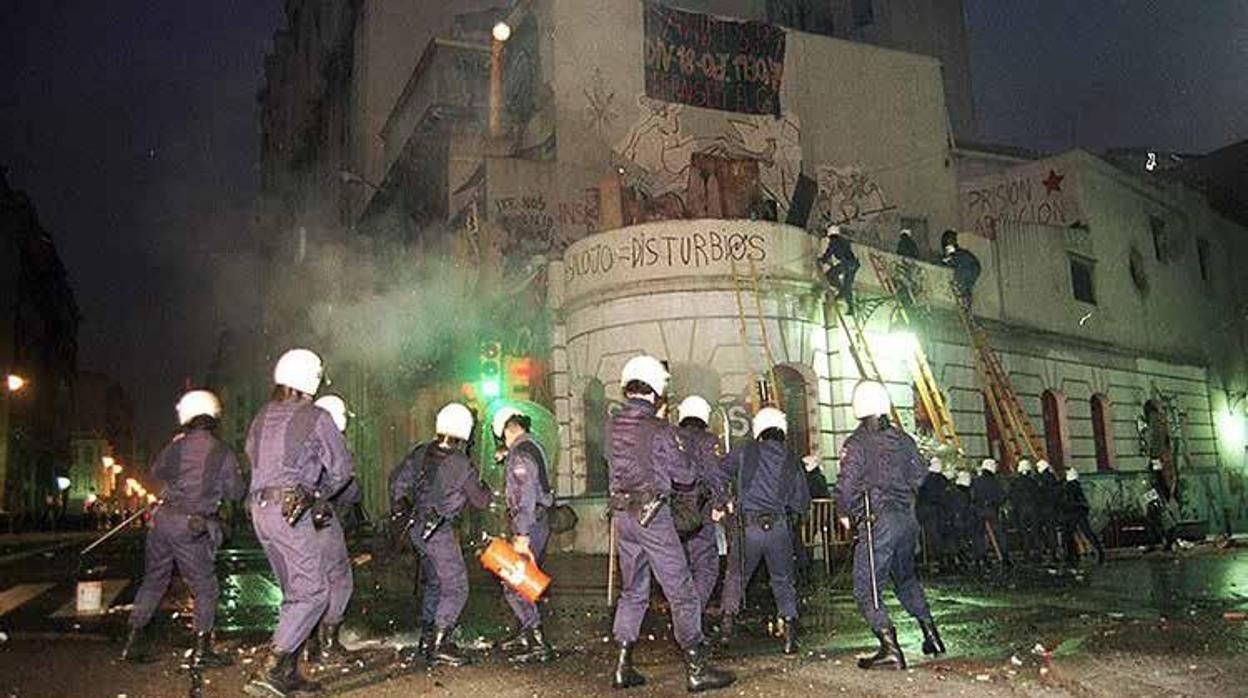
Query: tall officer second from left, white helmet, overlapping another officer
[[295, 450]]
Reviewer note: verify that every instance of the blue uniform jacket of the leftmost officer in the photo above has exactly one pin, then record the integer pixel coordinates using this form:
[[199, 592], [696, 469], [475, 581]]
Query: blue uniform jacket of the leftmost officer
[[198, 473]]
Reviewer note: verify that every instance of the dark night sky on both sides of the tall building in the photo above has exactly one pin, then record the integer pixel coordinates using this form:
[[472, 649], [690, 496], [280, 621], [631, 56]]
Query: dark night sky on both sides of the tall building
[[133, 127]]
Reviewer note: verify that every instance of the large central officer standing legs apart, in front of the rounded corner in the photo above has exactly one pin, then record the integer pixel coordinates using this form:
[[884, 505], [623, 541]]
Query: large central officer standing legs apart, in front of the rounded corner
[[645, 463]]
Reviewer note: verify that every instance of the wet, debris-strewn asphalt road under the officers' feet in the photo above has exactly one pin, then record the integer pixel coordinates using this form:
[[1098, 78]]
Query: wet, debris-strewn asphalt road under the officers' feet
[[1153, 625]]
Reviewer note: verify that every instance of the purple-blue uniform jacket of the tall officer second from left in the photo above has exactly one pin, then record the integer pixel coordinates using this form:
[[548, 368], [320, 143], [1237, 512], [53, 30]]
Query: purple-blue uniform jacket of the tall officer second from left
[[294, 443]]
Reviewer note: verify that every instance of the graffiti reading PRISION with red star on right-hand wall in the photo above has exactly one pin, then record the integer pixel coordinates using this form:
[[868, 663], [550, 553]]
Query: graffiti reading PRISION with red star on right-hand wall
[[1046, 194]]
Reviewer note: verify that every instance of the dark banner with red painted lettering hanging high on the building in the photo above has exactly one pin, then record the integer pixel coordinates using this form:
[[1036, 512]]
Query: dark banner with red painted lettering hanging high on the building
[[713, 63]]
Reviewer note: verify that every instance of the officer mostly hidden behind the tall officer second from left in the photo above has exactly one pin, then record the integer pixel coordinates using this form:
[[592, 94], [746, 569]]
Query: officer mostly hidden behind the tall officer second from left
[[324, 646]]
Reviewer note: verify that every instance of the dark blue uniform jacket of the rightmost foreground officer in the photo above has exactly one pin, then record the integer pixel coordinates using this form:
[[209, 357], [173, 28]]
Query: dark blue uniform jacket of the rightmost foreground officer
[[884, 463]]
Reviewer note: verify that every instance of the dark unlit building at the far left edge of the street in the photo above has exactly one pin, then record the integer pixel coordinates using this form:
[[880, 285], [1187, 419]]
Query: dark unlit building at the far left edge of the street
[[39, 324]]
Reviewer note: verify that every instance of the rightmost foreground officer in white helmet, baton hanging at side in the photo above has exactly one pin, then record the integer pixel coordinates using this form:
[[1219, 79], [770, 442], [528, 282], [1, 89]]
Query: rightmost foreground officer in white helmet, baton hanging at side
[[882, 471]]
